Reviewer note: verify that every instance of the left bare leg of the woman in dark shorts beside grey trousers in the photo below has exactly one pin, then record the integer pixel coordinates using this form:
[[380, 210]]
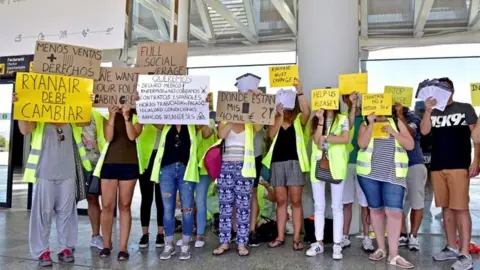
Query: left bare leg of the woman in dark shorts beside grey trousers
[[109, 195]]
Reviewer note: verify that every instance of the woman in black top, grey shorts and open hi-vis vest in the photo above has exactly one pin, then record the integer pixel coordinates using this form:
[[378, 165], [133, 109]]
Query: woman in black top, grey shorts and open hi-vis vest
[[288, 160]]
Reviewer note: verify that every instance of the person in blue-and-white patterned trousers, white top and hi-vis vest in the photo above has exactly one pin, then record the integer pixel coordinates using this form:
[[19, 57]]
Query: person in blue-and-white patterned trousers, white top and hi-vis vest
[[236, 182]]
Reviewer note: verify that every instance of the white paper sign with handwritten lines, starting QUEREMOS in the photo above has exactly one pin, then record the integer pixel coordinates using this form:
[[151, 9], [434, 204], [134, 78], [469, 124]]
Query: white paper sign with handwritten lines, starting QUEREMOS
[[173, 100]]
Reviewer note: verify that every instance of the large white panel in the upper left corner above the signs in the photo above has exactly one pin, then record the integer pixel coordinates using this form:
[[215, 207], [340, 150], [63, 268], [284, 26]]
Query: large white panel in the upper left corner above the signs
[[87, 23]]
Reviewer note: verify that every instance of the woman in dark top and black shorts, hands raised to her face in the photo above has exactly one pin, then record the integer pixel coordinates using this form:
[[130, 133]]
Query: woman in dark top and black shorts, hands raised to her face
[[118, 168]]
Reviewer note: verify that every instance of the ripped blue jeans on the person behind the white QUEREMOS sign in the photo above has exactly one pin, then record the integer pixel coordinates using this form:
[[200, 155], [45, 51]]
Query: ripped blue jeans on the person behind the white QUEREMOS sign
[[171, 180]]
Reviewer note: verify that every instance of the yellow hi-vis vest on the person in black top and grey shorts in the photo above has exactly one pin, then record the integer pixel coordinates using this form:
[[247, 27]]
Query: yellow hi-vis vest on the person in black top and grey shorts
[[301, 148]]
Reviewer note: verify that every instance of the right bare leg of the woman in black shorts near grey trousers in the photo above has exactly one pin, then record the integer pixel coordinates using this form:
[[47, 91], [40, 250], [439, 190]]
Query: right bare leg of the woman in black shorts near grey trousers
[[126, 188]]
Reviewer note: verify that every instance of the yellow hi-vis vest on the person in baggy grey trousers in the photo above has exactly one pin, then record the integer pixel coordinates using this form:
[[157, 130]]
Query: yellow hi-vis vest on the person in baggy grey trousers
[[37, 143]]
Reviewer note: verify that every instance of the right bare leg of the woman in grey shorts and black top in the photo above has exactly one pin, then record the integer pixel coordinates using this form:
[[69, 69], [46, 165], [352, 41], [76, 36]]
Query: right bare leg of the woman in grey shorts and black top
[[295, 194]]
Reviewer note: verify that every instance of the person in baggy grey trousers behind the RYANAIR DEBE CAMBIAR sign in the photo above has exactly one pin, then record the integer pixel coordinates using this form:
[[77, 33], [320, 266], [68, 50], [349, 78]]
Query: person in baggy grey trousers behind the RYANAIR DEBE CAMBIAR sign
[[52, 168]]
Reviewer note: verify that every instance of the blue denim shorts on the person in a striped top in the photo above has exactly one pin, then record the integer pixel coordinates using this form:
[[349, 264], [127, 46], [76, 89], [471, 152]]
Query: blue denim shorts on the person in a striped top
[[382, 195]]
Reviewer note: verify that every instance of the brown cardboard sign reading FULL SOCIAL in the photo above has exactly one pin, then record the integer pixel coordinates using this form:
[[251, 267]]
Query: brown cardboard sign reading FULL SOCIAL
[[167, 58]]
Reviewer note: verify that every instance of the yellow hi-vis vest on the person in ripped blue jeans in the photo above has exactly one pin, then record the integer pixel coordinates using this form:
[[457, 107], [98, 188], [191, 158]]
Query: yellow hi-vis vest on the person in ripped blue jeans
[[191, 172]]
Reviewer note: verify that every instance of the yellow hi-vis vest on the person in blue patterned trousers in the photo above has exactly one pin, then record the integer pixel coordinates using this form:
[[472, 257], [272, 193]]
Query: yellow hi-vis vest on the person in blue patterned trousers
[[248, 169]]
